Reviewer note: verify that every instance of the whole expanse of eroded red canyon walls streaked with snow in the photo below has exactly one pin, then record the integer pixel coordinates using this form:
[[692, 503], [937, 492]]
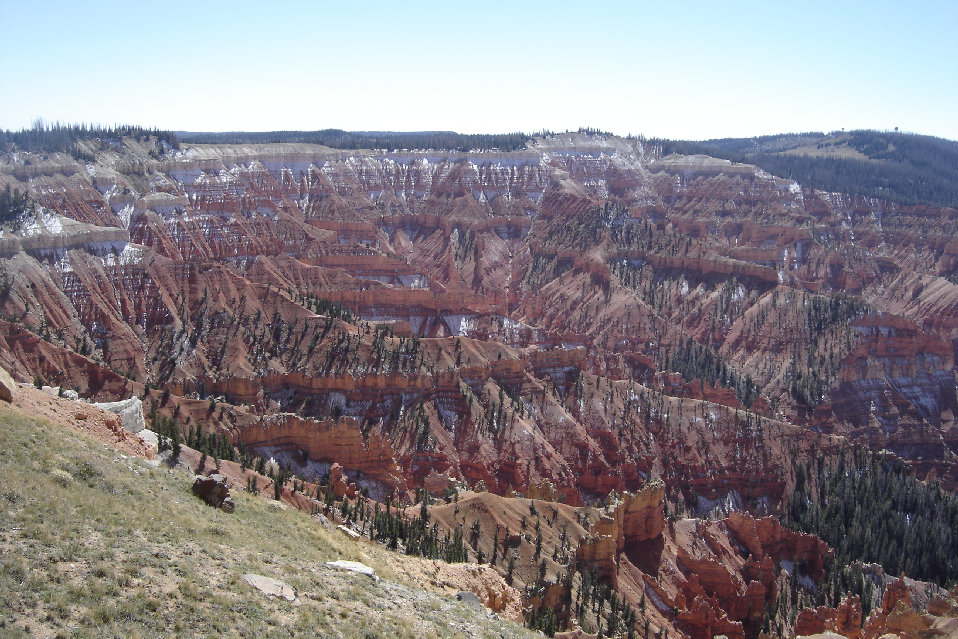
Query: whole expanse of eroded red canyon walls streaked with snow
[[574, 319]]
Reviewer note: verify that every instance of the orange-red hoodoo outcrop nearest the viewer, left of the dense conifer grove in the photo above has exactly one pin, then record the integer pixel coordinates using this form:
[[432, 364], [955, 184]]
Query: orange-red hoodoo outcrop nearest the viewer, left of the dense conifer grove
[[694, 577]]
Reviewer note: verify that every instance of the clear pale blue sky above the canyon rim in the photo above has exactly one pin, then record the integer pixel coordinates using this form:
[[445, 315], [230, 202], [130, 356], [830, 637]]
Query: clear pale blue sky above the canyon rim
[[679, 69]]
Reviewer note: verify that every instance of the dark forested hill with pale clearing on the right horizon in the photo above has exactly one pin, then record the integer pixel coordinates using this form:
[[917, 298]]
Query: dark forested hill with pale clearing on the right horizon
[[899, 167]]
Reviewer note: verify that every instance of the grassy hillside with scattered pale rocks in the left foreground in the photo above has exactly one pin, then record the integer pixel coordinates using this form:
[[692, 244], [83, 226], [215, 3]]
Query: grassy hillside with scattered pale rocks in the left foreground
[[97, 544]]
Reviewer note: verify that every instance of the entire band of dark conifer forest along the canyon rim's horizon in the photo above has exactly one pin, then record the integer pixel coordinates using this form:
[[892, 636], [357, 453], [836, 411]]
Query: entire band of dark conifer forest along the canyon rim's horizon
[[899, 167]]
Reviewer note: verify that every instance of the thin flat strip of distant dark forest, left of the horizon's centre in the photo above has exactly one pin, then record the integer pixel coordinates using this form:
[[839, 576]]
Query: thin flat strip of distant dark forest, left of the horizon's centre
[[338, 139]]
